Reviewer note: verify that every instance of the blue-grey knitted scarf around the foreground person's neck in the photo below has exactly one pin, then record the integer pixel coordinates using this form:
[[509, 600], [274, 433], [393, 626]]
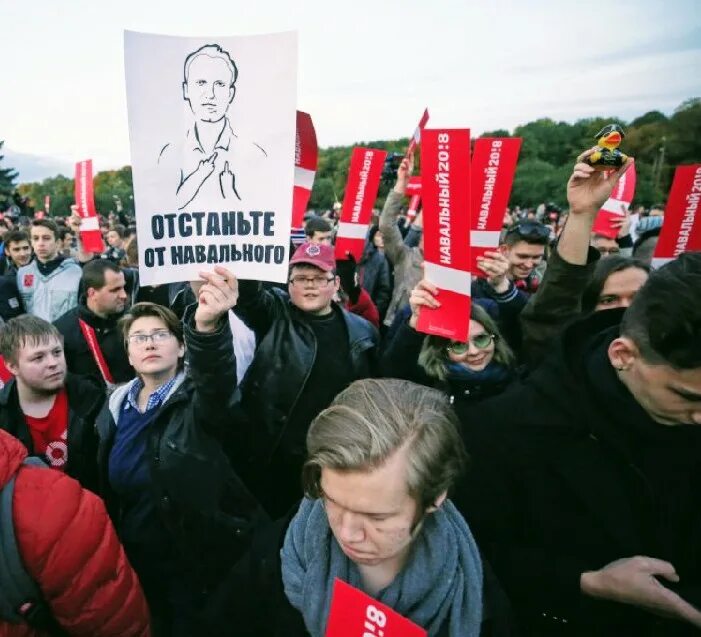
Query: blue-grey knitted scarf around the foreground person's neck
[[441, 582]]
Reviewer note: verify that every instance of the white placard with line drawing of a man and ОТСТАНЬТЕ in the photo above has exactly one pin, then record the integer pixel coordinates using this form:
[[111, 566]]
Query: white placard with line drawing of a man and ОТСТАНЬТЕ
[[212, 127]]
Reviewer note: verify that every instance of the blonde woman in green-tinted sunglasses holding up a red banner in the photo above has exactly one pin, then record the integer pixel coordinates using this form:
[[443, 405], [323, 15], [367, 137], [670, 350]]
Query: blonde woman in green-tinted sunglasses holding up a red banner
[[482, 367]]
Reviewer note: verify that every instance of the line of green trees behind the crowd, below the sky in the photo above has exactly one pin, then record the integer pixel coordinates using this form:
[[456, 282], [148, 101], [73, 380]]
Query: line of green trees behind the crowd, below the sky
[[659, 143]]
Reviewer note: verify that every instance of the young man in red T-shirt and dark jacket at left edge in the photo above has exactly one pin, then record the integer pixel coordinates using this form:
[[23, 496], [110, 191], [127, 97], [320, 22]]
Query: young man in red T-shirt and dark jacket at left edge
[[51, 412]]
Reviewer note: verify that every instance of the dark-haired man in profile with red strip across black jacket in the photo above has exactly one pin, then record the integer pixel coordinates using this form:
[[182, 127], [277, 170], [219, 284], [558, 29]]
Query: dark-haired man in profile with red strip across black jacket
[[92, 343]]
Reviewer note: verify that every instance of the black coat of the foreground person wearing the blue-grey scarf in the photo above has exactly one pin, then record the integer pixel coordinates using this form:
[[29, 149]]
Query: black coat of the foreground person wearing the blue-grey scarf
[[253, 599]]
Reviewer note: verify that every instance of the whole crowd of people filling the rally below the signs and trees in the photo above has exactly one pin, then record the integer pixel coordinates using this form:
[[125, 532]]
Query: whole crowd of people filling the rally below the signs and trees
[[208, 457]]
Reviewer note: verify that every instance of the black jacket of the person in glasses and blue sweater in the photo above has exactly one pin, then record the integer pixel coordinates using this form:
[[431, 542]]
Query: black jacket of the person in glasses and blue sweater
[[204, 506]]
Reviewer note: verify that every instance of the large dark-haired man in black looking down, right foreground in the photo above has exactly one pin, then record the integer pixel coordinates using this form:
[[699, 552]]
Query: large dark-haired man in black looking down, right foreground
[[585, 489]]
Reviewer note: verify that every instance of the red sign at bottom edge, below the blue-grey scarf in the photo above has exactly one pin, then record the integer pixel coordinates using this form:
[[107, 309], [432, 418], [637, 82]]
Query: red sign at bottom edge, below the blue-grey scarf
[[355, 614]]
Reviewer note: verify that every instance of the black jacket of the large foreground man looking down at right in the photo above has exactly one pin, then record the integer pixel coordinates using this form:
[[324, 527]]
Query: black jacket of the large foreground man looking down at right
[[565, 479]]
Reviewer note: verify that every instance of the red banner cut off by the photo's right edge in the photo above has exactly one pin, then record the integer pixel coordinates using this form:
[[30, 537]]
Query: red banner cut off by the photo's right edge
[[681, 228]]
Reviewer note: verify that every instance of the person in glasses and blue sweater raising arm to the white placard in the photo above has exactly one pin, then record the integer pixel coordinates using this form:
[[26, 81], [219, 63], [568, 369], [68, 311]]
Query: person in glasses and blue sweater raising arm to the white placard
[[180, 511]]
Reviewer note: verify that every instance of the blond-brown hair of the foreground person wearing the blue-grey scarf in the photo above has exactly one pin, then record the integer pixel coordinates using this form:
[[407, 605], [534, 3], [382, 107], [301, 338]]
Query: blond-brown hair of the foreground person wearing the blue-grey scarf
[[373, 418]]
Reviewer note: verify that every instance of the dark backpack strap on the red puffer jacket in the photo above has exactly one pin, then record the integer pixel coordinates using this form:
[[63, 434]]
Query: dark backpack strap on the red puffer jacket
[[21, 601]]
